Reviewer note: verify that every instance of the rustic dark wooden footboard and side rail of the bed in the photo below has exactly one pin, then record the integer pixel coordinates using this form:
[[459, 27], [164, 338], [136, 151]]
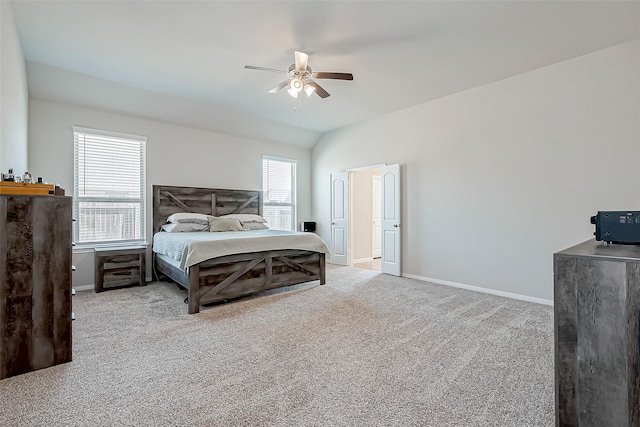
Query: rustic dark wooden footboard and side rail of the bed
[[233, 276]]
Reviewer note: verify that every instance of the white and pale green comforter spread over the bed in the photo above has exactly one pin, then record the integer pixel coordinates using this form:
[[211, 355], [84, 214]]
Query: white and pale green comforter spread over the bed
[[195, 247]]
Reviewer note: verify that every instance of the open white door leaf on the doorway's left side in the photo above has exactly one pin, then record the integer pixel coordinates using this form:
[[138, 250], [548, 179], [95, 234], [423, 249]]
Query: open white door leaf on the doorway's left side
[[339, 218]]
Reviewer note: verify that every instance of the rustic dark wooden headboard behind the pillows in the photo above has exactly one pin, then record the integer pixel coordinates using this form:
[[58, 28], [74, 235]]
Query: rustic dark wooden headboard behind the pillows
[[168, 200]]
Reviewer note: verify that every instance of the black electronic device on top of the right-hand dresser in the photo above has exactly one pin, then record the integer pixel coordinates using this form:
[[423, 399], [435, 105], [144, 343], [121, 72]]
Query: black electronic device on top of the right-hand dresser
[[617, 226]]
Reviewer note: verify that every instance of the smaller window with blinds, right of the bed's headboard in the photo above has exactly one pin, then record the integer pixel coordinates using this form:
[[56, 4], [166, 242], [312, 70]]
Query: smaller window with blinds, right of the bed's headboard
[[279, 188]]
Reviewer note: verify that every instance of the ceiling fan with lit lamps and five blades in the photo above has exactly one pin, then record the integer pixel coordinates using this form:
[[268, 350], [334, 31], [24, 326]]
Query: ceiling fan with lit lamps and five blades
[[301, 77]]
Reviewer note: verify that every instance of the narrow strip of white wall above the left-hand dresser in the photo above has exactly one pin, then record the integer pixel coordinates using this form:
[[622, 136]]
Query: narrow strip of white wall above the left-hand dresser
[[14, 96]]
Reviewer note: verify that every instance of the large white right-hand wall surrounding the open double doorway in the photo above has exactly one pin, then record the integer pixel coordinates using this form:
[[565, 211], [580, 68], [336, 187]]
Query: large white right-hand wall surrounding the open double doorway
[[498, 178]]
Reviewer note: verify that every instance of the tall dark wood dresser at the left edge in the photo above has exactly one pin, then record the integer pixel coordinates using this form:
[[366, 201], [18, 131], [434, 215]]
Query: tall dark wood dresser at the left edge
[[35, 282]]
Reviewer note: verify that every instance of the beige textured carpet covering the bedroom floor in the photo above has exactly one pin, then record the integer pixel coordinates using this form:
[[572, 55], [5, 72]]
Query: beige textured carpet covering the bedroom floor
[[365, 349]]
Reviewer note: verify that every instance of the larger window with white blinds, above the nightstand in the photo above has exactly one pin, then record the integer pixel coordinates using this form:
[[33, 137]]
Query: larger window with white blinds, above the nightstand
[[109, 182]]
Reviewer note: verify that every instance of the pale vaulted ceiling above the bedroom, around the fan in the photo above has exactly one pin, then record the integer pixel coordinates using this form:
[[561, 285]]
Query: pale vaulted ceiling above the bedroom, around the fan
[[183, 61]]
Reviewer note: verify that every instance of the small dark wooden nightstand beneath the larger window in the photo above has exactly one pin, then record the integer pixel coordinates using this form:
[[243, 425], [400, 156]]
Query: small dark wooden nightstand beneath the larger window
[[116, 267]]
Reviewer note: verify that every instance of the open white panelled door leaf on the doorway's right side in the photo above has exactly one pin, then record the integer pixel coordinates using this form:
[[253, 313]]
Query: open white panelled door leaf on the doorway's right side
[[391, 214]]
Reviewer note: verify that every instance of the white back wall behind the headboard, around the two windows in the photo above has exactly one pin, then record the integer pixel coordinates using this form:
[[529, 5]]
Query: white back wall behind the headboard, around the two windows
[[175, 156]]
